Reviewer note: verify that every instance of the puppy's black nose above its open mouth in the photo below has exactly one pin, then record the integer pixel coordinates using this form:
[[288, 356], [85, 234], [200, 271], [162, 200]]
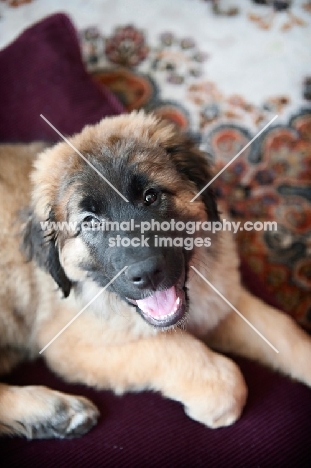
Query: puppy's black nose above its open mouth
[[146, 273]]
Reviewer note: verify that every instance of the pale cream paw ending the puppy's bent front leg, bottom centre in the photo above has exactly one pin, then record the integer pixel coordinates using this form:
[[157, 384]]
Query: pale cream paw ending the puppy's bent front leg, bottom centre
[[220, 402]]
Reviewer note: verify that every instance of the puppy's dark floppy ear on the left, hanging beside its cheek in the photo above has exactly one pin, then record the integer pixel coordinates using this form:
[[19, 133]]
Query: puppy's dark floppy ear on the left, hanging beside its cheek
[[40, 245]]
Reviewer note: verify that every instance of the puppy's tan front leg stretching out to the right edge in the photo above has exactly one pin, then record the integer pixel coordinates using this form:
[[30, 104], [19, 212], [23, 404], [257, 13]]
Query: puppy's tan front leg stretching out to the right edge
[[294, 345]]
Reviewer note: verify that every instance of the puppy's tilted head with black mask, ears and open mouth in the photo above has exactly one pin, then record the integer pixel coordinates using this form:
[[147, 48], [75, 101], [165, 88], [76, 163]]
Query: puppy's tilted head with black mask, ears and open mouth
[[110, 206]]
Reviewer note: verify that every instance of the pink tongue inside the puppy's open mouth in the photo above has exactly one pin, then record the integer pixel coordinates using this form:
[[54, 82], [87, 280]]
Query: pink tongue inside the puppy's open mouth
[[159, 305]]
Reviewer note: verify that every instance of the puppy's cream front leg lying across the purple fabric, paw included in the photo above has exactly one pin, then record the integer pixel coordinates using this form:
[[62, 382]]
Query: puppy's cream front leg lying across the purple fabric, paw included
[[182, 368]]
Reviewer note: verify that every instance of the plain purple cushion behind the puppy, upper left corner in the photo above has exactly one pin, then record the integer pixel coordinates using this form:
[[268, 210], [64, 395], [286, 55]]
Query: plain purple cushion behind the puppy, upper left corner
[[42, 72]]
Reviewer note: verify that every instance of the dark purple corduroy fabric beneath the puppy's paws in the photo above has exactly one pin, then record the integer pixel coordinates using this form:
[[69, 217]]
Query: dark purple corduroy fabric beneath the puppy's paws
[[146, 430]]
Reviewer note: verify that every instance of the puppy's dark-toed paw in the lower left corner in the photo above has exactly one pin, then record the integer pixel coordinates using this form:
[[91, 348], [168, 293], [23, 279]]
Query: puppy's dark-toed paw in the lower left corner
[[51, 414]]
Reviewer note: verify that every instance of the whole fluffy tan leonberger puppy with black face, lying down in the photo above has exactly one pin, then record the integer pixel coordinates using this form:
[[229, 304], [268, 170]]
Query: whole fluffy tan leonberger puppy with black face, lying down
[[116, 310]]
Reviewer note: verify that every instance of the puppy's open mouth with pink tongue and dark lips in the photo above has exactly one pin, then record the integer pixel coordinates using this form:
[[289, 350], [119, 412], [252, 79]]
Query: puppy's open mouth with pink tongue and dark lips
[[163, 308]]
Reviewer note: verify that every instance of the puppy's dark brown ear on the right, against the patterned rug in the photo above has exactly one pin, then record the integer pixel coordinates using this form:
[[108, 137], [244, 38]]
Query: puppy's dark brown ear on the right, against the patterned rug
[[193, 164]]
